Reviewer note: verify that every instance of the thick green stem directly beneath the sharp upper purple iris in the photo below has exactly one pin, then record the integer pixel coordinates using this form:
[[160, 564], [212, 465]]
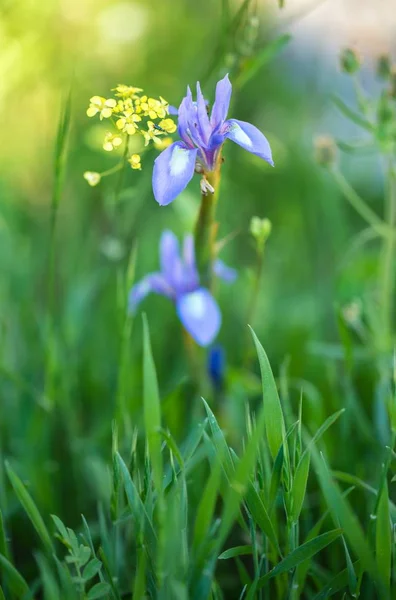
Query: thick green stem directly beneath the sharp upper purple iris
[[206, 228]]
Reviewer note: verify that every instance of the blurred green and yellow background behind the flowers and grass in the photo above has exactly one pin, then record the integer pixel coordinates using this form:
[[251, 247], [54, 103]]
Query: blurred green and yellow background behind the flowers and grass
[[85, 47]]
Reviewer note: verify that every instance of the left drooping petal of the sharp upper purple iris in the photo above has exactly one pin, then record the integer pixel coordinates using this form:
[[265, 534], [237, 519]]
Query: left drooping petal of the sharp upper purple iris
[[173, 170]]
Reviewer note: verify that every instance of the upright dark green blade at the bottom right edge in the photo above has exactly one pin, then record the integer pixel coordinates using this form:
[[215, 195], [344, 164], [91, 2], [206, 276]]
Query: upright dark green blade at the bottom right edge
[[383, 539]]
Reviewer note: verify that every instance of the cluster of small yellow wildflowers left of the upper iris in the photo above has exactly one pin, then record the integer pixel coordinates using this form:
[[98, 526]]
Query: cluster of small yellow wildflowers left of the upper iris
[[132, 112]]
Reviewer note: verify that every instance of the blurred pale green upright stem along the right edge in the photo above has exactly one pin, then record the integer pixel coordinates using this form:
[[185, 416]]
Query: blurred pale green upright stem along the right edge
[[387, 265]]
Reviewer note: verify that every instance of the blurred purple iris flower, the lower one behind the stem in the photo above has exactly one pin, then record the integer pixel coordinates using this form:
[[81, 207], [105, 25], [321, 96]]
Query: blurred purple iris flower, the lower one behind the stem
[[178, 280]]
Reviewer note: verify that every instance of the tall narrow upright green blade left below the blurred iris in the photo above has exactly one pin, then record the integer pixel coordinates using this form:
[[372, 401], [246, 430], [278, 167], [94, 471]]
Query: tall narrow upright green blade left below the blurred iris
[[152, 408]]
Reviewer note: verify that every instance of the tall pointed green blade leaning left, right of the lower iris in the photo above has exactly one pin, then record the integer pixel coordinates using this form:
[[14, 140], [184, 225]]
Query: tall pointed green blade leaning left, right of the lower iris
[[274, 422]]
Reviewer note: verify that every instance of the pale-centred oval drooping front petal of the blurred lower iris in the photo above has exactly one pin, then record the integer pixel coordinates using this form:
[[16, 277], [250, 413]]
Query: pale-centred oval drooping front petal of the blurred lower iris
[[200, 315]]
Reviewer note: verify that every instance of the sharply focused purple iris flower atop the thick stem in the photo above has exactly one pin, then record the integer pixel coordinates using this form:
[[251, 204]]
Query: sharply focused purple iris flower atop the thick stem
[[202, 137]]
